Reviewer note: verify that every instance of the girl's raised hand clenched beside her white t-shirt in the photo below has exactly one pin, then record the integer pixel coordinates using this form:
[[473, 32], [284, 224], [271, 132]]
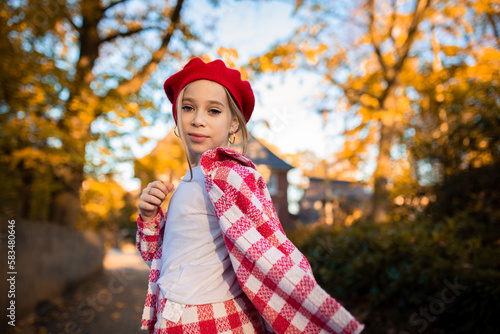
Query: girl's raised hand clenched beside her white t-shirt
[[152, 197]]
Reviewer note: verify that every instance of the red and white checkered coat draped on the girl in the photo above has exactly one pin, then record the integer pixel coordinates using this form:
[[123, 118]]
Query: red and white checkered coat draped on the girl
[[272, 272]]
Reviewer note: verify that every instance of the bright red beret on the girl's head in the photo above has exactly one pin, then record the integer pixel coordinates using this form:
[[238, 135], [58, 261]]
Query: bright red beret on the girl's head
[[216, 71]]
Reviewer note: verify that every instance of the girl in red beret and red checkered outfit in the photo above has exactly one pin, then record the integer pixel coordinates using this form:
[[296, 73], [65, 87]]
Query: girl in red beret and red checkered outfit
[[220, 261]]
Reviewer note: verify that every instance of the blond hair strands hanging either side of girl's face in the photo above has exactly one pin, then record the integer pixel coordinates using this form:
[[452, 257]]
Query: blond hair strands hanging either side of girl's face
[[235, 112]]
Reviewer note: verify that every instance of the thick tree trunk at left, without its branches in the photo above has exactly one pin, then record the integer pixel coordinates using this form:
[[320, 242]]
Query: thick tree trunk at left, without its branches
[[79, 114]]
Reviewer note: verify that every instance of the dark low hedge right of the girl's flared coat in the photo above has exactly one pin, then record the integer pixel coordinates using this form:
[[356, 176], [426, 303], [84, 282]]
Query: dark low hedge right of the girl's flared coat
[[401, 270]]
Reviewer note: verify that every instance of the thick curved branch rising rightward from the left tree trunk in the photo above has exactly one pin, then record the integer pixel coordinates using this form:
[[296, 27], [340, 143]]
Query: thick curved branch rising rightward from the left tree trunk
[[134, 85]]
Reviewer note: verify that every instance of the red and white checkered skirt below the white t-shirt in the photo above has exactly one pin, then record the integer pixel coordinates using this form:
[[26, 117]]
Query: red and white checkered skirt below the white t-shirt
[[237, 315]]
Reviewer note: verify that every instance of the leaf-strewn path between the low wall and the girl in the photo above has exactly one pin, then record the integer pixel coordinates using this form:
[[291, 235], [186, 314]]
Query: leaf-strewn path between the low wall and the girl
[[110, 303]]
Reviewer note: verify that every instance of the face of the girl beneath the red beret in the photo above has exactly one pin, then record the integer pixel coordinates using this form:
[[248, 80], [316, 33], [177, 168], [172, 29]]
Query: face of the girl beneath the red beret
[[205, 118]]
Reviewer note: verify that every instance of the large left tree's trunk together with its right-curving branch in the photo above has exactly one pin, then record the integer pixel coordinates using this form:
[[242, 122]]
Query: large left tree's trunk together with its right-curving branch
[[83, 106]]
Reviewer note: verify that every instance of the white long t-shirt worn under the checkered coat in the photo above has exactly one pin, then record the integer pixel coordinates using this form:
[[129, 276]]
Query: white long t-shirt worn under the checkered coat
[[196, 268]]
